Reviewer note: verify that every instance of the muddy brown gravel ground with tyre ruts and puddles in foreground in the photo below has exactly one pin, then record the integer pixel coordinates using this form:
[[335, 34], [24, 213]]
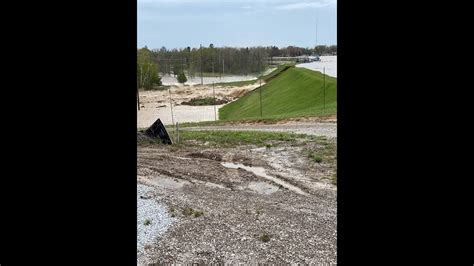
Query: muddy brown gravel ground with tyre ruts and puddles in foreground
[[246, 204]]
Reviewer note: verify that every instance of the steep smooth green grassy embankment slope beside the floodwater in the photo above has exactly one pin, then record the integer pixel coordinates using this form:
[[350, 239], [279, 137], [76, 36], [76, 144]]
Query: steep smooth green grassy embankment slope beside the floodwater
[[295, 92]]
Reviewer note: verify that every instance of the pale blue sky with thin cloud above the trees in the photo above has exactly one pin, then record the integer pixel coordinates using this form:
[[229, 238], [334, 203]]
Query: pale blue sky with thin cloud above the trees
[[181, 23]]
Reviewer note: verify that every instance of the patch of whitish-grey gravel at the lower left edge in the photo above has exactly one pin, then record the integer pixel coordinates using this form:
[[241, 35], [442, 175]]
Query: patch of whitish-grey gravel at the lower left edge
[[149, 209]]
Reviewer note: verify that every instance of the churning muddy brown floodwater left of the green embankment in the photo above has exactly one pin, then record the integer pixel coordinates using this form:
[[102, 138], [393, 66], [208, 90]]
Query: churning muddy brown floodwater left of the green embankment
[[156, 104]]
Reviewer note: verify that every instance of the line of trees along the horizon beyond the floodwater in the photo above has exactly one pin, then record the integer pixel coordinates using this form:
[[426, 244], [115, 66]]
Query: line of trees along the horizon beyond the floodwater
[[215, 60]]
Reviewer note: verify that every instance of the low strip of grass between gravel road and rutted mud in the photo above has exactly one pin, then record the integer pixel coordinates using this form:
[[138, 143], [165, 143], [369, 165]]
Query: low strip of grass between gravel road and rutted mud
[[221, 138]]
